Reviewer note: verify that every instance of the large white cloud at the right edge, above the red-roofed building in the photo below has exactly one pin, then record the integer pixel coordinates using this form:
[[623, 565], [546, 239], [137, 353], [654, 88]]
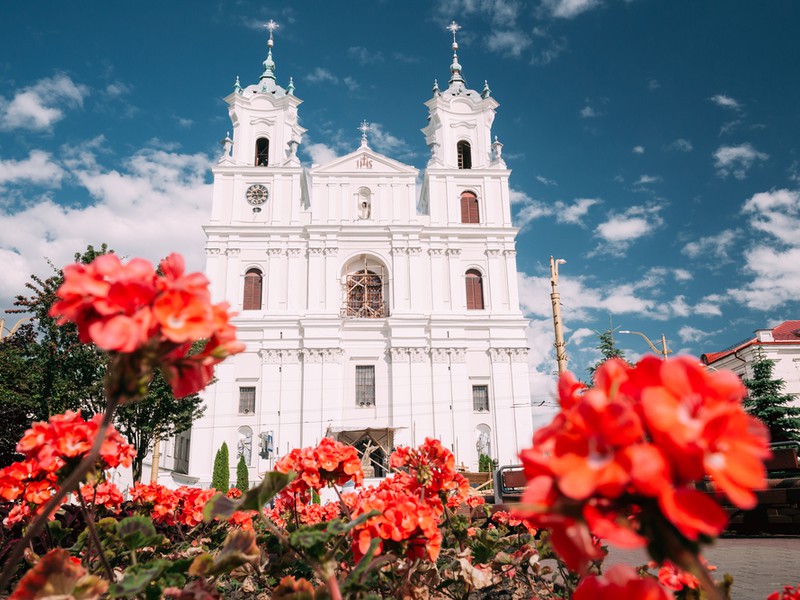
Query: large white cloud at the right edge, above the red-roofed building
[[774, 261]]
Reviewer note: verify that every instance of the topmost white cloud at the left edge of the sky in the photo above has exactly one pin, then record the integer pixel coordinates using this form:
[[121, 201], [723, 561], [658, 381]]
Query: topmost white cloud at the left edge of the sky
[[40, 106]]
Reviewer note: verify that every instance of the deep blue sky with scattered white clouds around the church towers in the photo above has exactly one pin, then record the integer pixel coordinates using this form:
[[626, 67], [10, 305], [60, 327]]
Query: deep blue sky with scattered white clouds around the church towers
[[654, 143]]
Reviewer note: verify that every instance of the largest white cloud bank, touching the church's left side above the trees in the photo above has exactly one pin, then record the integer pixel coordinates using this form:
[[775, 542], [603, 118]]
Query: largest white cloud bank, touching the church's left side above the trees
[[134, 210]]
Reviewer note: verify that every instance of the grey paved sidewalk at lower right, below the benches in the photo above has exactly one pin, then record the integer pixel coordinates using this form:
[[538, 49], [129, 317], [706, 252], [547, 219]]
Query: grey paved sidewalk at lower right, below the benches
[[759, 565]]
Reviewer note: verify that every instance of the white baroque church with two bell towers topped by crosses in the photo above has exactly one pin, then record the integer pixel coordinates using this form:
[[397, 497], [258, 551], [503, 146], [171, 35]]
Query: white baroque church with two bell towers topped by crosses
[[373, 312]]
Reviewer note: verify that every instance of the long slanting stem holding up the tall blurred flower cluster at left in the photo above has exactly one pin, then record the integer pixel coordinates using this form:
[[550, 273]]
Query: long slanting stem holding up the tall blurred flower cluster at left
[[70, 484]]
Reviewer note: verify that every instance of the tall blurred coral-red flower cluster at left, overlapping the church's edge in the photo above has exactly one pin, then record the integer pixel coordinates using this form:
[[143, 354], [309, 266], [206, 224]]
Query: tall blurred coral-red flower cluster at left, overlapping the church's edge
[[130, 308]]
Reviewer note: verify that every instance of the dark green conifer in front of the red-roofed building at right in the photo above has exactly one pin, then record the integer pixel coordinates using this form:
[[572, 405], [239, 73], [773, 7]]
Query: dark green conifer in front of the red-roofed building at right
[[767, 401]]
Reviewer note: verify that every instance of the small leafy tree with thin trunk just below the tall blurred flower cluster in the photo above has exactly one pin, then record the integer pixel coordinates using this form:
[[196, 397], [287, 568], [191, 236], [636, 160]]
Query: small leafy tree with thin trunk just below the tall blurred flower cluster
[[159, 415]]
